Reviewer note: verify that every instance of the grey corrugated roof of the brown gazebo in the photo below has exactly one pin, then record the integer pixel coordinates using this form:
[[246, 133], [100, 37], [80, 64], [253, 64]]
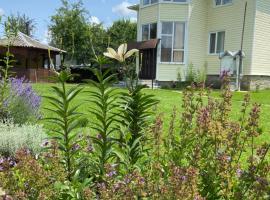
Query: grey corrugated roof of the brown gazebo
[[22, 40]]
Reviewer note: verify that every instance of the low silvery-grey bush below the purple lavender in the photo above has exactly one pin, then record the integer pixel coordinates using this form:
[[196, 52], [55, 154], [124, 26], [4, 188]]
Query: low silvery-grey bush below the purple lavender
[[14, 137]]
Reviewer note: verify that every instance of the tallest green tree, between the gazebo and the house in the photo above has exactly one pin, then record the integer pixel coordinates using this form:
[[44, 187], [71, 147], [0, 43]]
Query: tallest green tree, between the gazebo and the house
[[69, 30]]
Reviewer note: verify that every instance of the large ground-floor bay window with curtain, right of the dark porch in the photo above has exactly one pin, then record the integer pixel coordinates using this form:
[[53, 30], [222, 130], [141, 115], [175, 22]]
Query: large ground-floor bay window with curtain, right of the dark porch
[[173, 42]]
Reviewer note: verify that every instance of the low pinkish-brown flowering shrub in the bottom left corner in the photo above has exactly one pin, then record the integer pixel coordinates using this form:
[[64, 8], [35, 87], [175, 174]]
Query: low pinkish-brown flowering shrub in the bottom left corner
[[24, 177]]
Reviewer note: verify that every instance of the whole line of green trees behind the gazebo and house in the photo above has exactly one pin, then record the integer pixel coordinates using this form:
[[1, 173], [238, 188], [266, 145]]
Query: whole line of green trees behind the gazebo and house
[[71, 30]]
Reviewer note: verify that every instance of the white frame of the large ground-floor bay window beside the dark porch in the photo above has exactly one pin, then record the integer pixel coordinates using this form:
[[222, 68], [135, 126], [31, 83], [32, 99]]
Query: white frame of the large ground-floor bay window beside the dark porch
[[172, 35]]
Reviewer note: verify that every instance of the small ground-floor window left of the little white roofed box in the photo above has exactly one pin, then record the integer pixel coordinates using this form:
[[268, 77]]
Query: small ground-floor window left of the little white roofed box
[[216, 43]]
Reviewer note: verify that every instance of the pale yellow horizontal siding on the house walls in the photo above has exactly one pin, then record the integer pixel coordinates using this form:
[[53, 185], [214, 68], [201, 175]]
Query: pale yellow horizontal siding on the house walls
[[202, 17]]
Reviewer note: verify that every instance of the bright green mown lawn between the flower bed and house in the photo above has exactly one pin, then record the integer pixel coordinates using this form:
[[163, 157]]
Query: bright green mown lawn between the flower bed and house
[[170, 98]]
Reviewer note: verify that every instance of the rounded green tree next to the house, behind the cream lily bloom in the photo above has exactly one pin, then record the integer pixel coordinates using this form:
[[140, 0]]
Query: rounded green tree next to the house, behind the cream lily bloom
[[122, 31]]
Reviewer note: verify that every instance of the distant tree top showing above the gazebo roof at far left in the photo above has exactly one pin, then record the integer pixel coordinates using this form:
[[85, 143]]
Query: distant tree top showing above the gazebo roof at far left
[[22, 23]]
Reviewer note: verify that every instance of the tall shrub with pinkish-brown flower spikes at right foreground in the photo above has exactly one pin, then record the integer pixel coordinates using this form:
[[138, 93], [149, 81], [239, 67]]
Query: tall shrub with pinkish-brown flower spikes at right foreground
[[218, 146]]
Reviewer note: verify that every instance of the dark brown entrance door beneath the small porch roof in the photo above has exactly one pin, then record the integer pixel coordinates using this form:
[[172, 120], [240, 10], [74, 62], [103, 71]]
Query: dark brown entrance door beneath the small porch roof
[[148, 63]]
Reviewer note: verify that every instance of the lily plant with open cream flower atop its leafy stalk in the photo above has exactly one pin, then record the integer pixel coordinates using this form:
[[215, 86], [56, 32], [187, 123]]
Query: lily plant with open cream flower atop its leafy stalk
[[135, 112]]
